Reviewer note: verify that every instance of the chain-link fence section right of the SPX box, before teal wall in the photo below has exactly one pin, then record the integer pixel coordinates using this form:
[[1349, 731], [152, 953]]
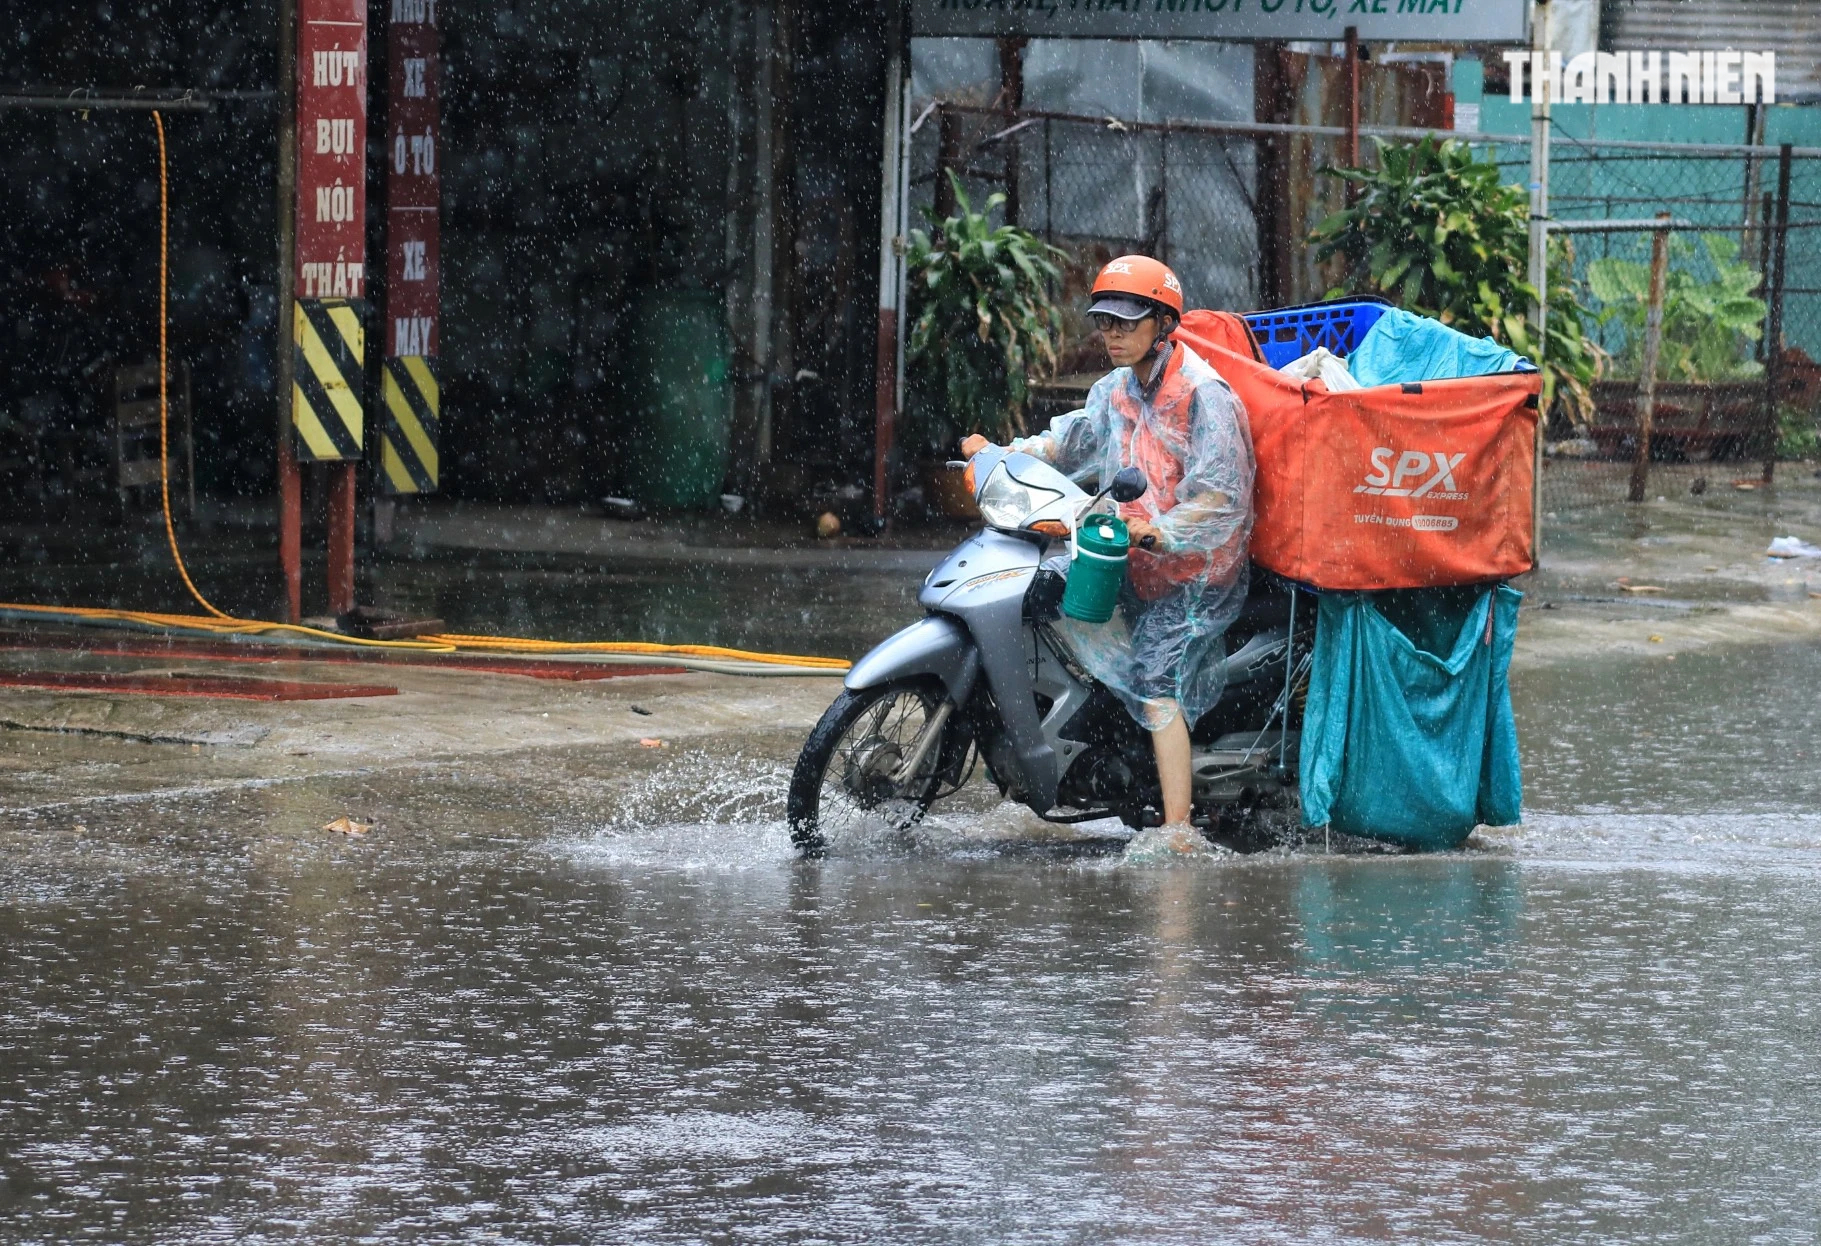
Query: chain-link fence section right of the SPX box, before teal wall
[[1736, 380]]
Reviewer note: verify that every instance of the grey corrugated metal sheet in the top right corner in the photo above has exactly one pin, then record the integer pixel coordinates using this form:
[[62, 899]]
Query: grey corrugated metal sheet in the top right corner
[[1791, 28]]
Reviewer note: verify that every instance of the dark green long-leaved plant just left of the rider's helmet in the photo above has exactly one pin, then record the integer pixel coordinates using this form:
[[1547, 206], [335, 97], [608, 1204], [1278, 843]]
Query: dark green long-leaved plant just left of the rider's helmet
[[984, 320]]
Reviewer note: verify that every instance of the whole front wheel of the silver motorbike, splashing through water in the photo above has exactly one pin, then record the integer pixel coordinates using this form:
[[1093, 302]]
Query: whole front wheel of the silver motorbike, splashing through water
[[855, 771]]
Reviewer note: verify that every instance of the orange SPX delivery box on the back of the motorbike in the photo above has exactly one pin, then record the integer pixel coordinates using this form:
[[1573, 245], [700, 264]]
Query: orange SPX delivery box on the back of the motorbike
[[1390, 487]]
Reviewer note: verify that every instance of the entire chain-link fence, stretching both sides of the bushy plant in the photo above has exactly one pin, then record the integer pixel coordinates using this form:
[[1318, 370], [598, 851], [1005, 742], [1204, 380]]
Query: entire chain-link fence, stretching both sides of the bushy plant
[[1232, 207]]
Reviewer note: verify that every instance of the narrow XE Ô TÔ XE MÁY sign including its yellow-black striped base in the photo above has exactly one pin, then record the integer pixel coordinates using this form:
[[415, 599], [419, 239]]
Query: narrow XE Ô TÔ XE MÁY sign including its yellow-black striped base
[[412, 407]]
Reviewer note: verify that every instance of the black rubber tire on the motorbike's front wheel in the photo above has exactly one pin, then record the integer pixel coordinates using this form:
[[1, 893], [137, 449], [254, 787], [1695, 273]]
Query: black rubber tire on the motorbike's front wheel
[[864, 777]]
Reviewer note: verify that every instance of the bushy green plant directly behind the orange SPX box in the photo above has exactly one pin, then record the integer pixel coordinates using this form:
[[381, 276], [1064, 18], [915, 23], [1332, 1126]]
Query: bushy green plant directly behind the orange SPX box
[[1440, 234]]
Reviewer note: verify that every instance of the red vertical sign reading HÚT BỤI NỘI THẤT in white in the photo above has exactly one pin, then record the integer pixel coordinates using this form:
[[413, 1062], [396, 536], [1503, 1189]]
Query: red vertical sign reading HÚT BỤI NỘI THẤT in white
[[331, 148]]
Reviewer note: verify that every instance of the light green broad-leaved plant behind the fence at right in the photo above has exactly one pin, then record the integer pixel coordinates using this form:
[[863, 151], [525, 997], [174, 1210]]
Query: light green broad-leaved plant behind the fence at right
[[1709, 327]]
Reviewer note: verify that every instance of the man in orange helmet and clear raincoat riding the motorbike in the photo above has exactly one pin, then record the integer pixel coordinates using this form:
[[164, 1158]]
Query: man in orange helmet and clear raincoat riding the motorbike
[[1168, 413]]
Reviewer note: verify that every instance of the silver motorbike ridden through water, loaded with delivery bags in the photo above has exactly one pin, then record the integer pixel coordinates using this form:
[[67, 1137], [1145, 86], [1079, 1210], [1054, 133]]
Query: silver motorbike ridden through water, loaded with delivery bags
[[986, 679]]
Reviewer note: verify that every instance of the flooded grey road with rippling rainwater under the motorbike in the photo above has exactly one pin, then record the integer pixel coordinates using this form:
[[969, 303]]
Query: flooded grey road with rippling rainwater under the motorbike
[[605, 1005]]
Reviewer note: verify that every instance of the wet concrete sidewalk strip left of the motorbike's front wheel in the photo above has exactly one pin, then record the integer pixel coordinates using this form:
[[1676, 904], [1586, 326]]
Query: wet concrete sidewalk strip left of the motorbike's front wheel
[[79, 750]]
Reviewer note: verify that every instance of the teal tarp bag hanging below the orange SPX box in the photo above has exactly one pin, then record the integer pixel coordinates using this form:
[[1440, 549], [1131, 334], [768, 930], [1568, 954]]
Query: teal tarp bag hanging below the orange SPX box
[[1409, 735]]
